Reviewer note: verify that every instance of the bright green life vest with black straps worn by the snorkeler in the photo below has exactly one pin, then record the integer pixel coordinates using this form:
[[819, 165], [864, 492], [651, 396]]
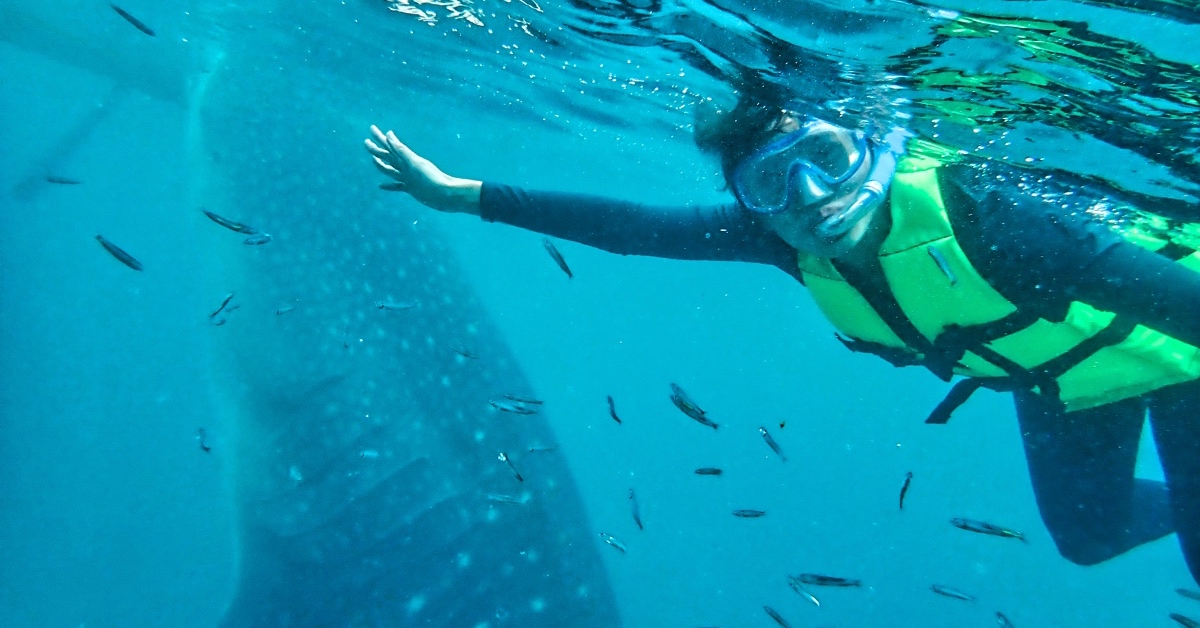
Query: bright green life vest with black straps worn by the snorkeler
[[944, 315]]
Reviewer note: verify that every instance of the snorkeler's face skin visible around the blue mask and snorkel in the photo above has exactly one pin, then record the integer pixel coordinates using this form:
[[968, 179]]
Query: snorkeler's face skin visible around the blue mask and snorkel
[[815, 222]]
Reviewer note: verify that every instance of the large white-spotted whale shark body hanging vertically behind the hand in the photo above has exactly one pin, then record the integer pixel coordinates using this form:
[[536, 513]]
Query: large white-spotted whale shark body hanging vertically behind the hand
[[369, 459]]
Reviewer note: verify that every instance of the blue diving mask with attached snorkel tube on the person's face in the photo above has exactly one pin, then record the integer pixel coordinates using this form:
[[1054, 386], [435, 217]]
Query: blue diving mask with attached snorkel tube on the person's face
[[813, 164]]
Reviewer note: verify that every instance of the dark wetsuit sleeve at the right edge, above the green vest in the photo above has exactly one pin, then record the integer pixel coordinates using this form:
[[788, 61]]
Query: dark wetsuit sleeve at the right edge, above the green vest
[[1045, 252]]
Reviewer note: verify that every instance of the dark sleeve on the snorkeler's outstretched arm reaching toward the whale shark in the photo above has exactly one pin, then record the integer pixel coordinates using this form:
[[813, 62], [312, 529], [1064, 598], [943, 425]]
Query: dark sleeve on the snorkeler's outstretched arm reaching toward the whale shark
[[699, 232]]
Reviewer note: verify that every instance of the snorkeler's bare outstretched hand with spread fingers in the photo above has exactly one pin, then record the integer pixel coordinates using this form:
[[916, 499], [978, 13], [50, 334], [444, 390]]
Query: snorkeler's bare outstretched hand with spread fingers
[[419, 177]]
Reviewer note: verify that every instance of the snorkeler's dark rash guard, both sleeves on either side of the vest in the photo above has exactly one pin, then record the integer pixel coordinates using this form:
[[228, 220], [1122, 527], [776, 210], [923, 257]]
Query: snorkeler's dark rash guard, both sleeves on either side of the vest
[[1035, 244]]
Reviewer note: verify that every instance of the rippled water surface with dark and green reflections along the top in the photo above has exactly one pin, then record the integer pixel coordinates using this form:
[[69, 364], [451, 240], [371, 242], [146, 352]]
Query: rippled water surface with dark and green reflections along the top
[[1051, 87]]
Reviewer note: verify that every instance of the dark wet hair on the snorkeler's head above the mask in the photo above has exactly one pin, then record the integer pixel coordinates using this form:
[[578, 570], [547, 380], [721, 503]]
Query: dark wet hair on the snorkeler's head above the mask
[[733, 135]]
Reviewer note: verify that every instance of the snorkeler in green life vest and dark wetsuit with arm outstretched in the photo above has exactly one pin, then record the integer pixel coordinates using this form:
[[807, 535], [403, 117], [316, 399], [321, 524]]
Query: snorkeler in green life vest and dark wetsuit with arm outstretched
[[969, 270]]
